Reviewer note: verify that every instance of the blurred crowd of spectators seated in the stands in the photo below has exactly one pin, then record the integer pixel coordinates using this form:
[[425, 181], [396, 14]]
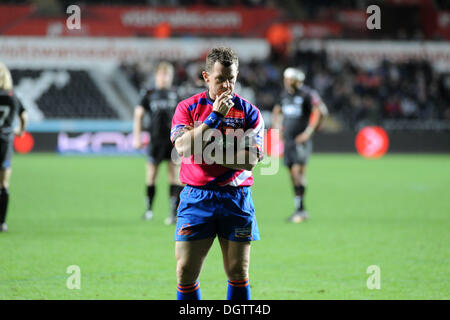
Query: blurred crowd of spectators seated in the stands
[[356, 96]]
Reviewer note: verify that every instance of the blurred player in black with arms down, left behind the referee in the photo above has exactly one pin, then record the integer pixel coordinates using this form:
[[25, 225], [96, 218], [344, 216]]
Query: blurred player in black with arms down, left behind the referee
[[159, 103]]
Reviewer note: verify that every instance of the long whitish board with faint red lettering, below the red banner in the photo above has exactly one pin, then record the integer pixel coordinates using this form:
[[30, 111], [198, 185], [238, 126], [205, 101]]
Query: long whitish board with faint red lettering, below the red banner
[[76, 51]]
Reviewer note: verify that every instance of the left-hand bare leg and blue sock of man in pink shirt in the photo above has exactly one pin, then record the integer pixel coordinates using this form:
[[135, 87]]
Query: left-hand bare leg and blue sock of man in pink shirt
[[190, 256]]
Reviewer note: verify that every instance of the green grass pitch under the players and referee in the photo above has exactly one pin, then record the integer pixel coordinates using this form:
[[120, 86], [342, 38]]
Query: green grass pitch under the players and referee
[[391, 212]]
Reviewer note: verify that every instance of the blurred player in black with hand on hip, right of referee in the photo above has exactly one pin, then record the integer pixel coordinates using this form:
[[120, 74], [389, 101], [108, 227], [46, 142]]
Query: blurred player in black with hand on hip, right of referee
[[300, 110]]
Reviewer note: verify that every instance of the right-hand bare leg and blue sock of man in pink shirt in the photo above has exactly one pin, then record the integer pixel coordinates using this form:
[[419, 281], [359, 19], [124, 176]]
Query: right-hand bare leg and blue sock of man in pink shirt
[[236, 261]]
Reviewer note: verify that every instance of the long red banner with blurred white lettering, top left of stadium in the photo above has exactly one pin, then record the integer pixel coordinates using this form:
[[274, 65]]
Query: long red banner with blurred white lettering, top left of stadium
[[125, 21]]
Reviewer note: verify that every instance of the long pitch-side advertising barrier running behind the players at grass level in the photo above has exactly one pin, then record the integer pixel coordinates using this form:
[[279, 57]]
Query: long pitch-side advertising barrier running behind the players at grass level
[[115, 138]]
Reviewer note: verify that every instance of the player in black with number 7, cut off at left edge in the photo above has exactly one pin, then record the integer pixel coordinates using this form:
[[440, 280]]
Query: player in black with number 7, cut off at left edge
[[10, 107]]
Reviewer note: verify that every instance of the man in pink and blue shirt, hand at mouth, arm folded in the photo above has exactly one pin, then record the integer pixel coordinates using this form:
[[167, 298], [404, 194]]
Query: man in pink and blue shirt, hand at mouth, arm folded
[[217, 199]]
